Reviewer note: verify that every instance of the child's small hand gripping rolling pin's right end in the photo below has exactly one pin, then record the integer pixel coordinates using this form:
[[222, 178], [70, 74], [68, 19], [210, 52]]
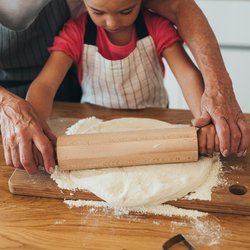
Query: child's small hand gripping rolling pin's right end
[[208, 140]]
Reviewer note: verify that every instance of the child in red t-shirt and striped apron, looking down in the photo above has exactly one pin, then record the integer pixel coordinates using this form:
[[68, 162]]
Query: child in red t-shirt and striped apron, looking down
[[118, 49]]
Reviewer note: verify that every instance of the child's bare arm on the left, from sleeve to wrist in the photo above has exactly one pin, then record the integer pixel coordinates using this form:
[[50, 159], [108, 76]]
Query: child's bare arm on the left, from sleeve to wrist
[[43, 89]]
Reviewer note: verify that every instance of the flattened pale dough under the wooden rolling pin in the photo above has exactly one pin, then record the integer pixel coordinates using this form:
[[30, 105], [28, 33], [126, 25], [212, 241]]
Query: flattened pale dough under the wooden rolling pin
[[134, 186]]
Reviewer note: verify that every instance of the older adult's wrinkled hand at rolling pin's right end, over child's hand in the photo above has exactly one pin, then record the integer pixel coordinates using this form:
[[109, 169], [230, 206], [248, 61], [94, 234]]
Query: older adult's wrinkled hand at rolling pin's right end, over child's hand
[[221, 108]]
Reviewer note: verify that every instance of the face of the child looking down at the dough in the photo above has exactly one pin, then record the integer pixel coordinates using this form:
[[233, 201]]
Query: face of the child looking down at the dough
[[114, 16]]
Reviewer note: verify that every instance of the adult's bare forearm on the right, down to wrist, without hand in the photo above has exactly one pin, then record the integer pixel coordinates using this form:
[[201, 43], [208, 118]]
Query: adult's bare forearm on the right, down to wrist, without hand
[[198, 35]]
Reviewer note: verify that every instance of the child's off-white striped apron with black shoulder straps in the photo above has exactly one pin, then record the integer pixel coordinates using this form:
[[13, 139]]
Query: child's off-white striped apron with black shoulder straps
[[134, 82]]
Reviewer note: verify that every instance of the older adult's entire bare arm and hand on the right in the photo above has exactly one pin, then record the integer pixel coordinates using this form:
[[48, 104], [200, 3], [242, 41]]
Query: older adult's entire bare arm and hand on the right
[[218, 102]]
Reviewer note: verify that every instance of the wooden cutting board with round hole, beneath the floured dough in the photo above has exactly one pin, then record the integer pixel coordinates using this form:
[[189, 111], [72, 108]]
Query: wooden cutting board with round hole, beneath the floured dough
[[233, 197]]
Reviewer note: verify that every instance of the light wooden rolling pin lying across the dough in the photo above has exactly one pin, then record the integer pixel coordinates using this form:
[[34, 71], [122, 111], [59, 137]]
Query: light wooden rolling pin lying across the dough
[[129, 148]]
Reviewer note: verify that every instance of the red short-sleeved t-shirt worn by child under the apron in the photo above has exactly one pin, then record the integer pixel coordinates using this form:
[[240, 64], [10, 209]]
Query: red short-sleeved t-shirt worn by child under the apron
[[71, 39]]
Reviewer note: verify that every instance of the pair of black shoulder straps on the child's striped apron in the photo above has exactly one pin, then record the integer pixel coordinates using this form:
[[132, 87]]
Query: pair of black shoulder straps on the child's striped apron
[[91, 30]]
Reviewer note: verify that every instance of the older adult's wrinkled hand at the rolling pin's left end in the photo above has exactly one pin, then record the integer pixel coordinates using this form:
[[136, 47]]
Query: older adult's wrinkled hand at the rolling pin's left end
[[22, 130]]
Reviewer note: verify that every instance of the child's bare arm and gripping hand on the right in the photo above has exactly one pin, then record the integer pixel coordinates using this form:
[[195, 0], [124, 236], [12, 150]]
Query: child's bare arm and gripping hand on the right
[[191, 83]]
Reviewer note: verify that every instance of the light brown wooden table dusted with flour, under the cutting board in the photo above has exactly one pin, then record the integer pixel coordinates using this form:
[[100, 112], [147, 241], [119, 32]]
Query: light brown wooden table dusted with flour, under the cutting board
[[42, 223]]
